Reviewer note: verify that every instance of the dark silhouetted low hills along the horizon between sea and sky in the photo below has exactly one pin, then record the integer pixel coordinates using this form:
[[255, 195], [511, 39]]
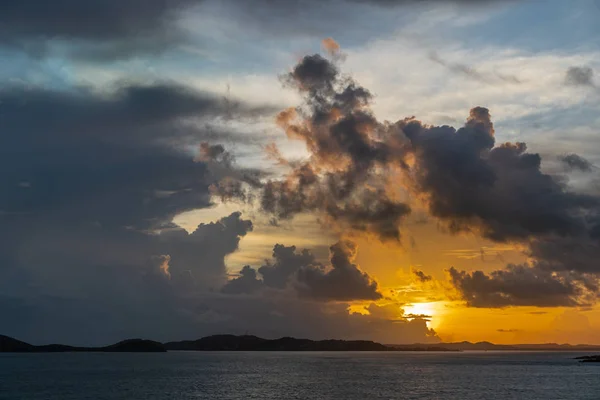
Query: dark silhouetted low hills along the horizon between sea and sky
[[253, 343]]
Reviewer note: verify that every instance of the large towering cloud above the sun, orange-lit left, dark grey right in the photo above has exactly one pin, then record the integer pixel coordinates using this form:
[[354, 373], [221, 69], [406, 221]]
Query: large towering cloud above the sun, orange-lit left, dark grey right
[[467, 181]]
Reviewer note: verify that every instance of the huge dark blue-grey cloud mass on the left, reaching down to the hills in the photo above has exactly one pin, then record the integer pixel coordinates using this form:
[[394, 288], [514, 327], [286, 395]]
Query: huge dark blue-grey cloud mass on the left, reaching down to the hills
[[90, 184]]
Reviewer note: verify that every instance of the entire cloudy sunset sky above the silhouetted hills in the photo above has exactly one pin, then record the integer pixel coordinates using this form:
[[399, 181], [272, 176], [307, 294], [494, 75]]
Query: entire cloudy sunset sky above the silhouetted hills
[[392, 170]]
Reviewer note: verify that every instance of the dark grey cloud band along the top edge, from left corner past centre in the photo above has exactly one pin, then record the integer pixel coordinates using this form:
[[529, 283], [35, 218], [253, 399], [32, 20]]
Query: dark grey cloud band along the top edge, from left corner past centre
[[112, 29]]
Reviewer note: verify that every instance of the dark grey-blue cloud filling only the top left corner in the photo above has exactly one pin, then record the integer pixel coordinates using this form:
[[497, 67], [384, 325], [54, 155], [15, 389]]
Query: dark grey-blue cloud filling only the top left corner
[[98, 28]]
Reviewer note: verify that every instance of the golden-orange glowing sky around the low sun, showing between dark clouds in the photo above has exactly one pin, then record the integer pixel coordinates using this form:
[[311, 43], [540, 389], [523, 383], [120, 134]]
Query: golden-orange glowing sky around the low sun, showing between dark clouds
[[435, 251]]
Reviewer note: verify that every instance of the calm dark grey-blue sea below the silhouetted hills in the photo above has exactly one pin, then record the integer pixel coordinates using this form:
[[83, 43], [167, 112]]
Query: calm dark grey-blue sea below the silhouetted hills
[[340, 376]]
